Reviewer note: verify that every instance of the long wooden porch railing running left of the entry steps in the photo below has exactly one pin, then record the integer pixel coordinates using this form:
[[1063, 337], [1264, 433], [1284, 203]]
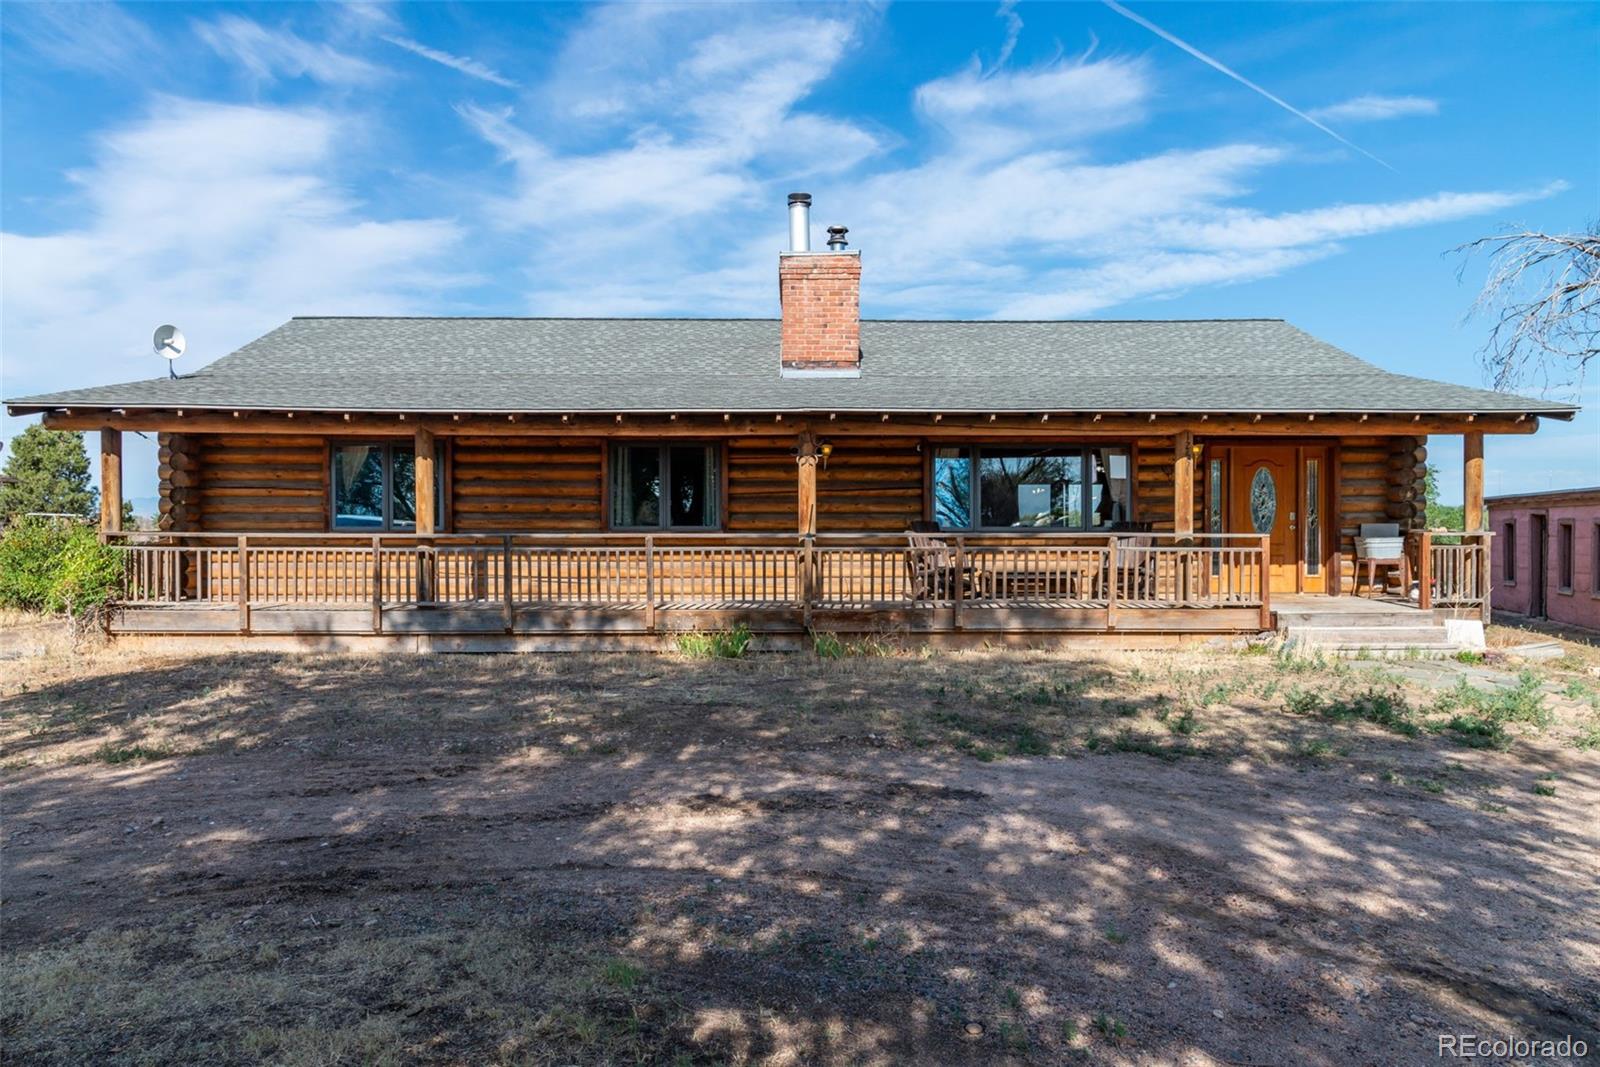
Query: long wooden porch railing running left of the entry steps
[[652, 573]]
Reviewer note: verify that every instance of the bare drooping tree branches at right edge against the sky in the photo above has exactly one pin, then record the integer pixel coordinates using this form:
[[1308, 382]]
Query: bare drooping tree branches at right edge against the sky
[[1543, 294]]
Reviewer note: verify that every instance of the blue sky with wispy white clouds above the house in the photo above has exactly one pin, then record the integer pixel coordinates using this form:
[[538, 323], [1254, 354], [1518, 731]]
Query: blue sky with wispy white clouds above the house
[[226, 167]]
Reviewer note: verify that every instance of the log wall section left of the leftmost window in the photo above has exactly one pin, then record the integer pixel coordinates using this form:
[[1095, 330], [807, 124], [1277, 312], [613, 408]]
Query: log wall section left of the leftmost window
[[249, 484]]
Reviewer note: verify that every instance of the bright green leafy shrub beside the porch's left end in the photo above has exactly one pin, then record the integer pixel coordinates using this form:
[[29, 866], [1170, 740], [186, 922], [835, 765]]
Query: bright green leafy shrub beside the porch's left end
[[62, 569]]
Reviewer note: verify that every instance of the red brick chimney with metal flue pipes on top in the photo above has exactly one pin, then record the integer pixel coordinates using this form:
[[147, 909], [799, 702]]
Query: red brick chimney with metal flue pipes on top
[[822, 300]]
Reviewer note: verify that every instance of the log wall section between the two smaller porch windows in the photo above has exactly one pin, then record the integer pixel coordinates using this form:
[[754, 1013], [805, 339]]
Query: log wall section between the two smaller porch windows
[[527, 484]]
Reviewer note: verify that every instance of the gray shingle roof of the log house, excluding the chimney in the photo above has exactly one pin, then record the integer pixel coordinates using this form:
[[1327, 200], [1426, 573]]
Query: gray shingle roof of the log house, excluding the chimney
[[732, 366]]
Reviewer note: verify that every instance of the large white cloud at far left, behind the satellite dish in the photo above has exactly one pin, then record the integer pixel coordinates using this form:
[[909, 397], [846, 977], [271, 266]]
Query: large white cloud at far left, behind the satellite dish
[[228, 246]]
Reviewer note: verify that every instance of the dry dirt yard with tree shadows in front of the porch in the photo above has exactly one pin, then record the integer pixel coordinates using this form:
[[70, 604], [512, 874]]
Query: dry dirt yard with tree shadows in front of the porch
[[906, 858]]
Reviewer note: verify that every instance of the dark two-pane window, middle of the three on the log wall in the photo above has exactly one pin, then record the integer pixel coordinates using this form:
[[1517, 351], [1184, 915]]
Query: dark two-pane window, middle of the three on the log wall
[[665, 487]]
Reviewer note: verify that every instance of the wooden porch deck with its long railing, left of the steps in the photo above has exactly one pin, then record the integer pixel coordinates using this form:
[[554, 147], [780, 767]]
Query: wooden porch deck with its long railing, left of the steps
[[646, 589]]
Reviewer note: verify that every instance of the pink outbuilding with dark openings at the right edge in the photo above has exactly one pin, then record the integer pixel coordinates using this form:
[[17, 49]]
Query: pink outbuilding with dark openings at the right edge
[[1546, 559]]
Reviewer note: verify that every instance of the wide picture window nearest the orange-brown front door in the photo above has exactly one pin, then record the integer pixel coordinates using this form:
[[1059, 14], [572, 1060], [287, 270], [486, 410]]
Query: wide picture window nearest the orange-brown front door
[[1033, 489]]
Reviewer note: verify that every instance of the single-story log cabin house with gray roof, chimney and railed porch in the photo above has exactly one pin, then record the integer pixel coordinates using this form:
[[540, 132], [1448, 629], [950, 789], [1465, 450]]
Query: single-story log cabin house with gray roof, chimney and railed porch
[[460, 484]]
